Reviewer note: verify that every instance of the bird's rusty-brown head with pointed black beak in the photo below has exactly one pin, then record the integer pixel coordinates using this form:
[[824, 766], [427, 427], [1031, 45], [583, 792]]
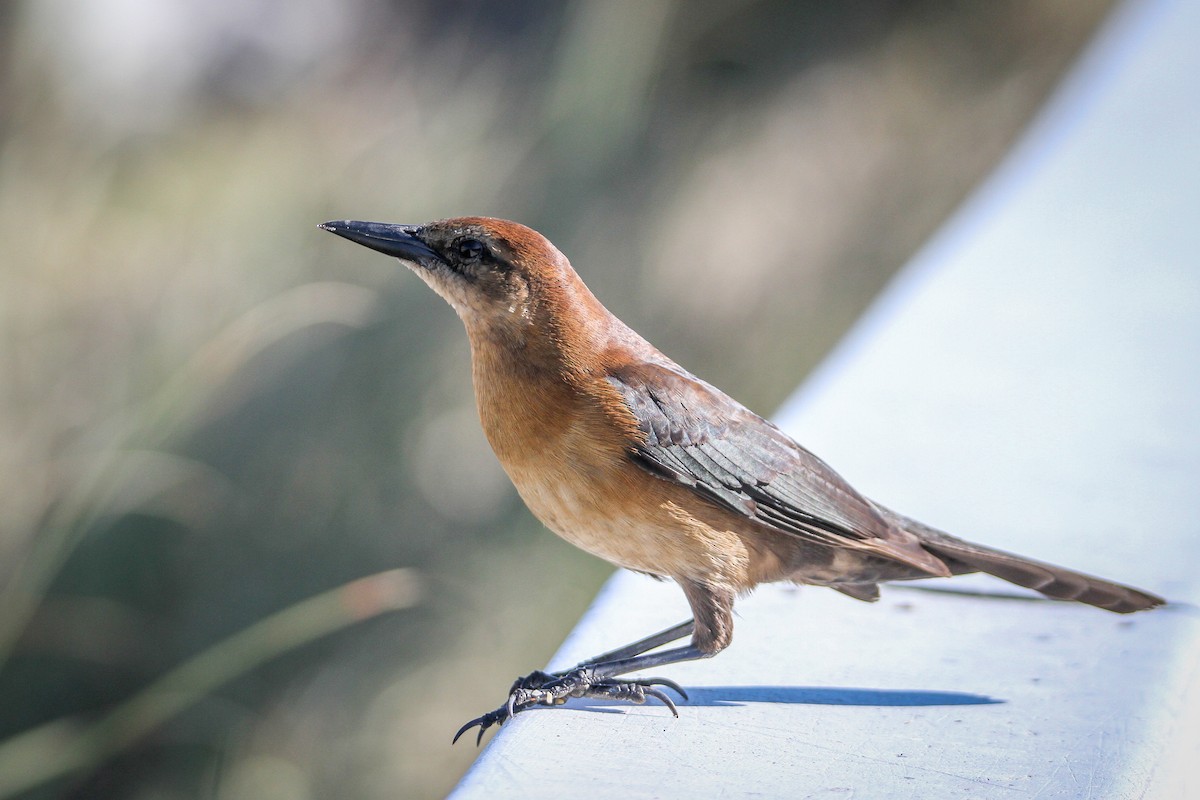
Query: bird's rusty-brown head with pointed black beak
[[501, 278]]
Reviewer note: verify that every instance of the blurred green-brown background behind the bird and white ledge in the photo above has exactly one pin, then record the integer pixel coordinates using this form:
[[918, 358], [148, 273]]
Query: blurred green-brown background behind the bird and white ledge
[[213, 413]]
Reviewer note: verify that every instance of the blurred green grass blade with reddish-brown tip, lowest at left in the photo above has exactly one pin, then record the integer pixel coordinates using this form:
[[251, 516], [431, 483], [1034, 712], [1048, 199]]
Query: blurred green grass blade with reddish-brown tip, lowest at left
[[64, 747]]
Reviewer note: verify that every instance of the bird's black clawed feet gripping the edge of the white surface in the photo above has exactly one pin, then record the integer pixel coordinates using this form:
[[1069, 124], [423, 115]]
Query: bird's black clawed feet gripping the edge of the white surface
[[555, 689]]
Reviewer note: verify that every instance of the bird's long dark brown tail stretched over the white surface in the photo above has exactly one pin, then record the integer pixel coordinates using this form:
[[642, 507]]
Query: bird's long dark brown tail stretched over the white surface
[[1052, 581]]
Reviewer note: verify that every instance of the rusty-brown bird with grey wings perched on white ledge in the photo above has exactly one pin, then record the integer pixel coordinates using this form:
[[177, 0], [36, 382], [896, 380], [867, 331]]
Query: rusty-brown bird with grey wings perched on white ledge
[[628, 456]]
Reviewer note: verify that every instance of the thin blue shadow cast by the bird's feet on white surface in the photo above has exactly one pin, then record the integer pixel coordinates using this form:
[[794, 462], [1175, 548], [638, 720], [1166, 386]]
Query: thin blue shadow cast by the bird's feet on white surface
[[719, 696]]
